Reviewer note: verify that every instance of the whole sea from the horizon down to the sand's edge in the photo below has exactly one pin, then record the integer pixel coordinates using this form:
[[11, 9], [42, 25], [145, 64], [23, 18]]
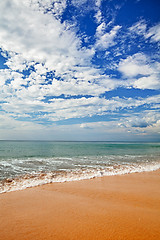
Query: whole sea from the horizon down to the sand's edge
[[26, 164]]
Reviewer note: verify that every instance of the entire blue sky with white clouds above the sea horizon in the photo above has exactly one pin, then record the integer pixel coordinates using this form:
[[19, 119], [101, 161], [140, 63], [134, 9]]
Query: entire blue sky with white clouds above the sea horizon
[[80, 70]]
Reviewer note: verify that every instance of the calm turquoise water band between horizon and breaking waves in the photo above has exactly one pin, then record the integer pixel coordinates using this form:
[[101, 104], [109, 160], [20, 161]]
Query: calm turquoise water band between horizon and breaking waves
[[24, 149]]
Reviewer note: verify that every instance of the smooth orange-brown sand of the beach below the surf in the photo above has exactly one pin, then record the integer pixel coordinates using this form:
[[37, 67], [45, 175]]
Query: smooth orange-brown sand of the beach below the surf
[[125, 207]]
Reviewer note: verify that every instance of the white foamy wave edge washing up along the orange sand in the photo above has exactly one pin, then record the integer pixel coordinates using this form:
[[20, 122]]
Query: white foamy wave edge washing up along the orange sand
[[28, 181]]
